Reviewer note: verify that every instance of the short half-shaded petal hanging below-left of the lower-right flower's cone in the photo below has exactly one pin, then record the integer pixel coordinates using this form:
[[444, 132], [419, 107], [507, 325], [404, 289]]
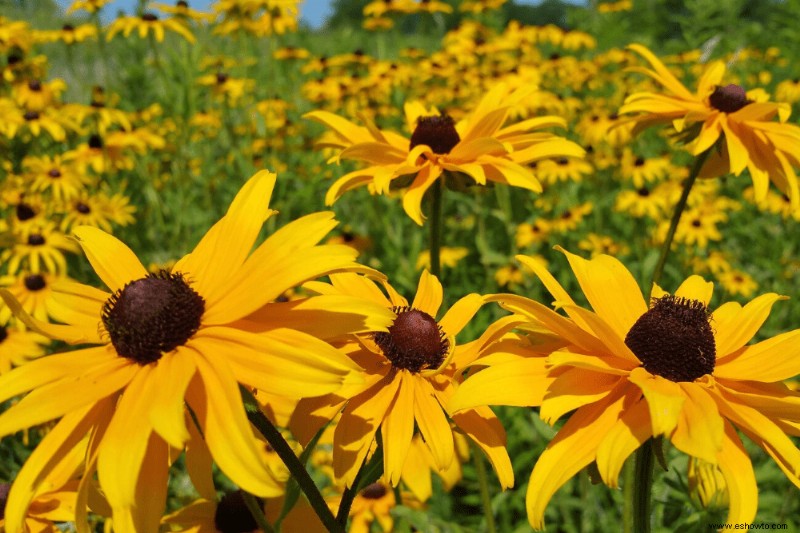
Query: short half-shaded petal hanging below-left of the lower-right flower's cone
[[629, 432]]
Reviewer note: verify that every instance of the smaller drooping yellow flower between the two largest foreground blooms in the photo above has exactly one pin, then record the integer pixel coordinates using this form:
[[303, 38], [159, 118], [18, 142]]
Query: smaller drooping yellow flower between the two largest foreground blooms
[[410, 372]]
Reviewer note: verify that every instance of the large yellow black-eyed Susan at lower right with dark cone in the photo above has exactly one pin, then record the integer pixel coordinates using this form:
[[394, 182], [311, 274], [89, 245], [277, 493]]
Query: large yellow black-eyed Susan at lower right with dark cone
[[631, 371]]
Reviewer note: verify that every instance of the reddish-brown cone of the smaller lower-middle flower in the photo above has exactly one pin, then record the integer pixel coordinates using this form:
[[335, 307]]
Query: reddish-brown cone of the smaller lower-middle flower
[[414, 341]]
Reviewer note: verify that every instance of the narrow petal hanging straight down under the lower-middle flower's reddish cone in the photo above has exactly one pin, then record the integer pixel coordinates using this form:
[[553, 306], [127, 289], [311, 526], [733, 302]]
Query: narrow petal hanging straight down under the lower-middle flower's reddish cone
[[398, 428]]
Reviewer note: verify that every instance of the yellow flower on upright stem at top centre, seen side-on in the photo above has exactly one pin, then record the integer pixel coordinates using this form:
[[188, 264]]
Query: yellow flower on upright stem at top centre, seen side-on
[[478, 146]]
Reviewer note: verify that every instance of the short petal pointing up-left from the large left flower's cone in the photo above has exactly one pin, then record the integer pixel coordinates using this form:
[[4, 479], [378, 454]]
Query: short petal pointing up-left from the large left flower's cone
[[111, 259]]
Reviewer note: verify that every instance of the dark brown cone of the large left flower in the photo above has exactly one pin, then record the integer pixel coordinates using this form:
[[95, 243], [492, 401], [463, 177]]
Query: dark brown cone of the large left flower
[[152, 315]]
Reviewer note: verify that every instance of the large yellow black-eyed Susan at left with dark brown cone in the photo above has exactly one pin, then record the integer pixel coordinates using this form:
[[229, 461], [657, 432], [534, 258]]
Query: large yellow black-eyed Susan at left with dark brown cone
[[170, 339]]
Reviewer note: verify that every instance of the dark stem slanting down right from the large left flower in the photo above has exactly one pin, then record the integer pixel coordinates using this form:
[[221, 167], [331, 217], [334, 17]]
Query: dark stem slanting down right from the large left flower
[[296, 468]]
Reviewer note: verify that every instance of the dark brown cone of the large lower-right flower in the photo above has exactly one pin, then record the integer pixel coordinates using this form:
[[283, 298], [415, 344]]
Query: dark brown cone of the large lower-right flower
[[674, 340]]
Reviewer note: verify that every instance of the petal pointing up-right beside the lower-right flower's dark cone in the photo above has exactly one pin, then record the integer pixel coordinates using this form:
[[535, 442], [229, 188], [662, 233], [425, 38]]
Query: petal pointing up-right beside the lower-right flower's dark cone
[[734, 325]]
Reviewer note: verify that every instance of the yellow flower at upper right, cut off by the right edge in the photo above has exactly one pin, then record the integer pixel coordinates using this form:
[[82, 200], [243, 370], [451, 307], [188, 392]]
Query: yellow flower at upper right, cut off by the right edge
[[725, 116]]
